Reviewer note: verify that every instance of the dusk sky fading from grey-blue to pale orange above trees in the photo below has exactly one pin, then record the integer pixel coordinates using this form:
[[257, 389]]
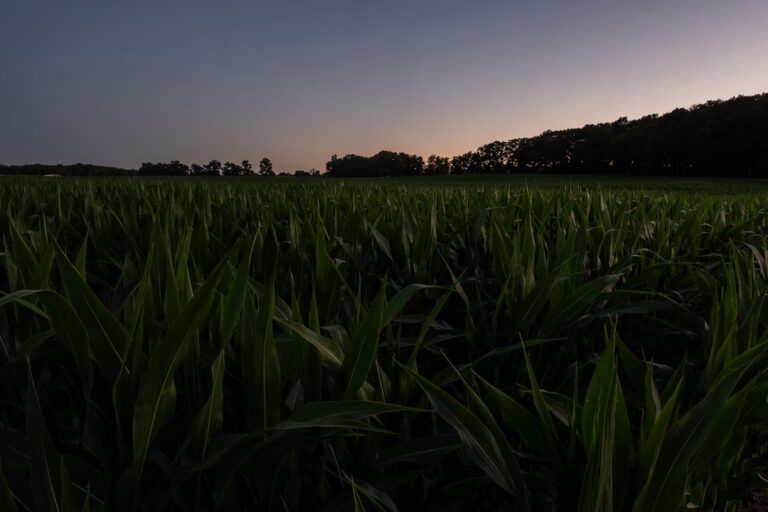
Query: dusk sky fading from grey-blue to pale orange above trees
[[119, 83]]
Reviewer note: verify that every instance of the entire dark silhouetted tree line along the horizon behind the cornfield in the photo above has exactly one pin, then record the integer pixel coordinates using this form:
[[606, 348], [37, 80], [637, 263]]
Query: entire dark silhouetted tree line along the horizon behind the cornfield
[[717, 138]]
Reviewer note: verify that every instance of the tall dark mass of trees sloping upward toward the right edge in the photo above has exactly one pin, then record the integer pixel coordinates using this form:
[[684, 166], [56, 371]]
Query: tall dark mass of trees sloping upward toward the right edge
[[717, 138]]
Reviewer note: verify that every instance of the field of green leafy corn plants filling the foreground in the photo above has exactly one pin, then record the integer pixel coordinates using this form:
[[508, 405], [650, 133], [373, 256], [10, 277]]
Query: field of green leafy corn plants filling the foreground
[[374, 345]]
